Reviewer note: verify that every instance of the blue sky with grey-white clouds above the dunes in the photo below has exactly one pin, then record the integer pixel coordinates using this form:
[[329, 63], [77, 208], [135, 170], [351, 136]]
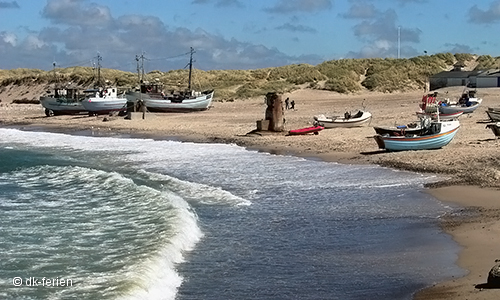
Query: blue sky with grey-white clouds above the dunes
[[239, 34]]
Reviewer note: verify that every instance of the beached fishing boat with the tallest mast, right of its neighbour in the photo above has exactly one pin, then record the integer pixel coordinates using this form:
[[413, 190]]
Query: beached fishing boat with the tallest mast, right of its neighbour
[[155, 99]]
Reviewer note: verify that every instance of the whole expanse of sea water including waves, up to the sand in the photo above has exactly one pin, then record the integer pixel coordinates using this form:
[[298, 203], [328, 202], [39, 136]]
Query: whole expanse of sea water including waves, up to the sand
[[86, 217]]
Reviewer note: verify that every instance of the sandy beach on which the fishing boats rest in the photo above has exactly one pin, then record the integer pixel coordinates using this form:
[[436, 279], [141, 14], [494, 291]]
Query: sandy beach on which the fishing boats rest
[[469, 165]]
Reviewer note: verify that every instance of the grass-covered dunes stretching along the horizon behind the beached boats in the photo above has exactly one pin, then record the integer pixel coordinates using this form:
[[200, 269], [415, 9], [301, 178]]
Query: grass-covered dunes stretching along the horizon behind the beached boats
[[342, 76]]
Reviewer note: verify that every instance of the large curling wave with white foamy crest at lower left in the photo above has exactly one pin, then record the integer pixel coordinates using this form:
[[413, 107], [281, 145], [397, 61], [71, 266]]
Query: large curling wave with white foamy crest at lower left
[[111, 231]]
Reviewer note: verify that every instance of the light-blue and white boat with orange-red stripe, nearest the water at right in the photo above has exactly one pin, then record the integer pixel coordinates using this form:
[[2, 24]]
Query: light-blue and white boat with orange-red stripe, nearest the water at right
[[437, 134]]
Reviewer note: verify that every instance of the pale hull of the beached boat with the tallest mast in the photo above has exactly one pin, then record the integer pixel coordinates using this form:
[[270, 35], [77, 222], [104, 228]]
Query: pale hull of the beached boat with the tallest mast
[[157, 103]]
